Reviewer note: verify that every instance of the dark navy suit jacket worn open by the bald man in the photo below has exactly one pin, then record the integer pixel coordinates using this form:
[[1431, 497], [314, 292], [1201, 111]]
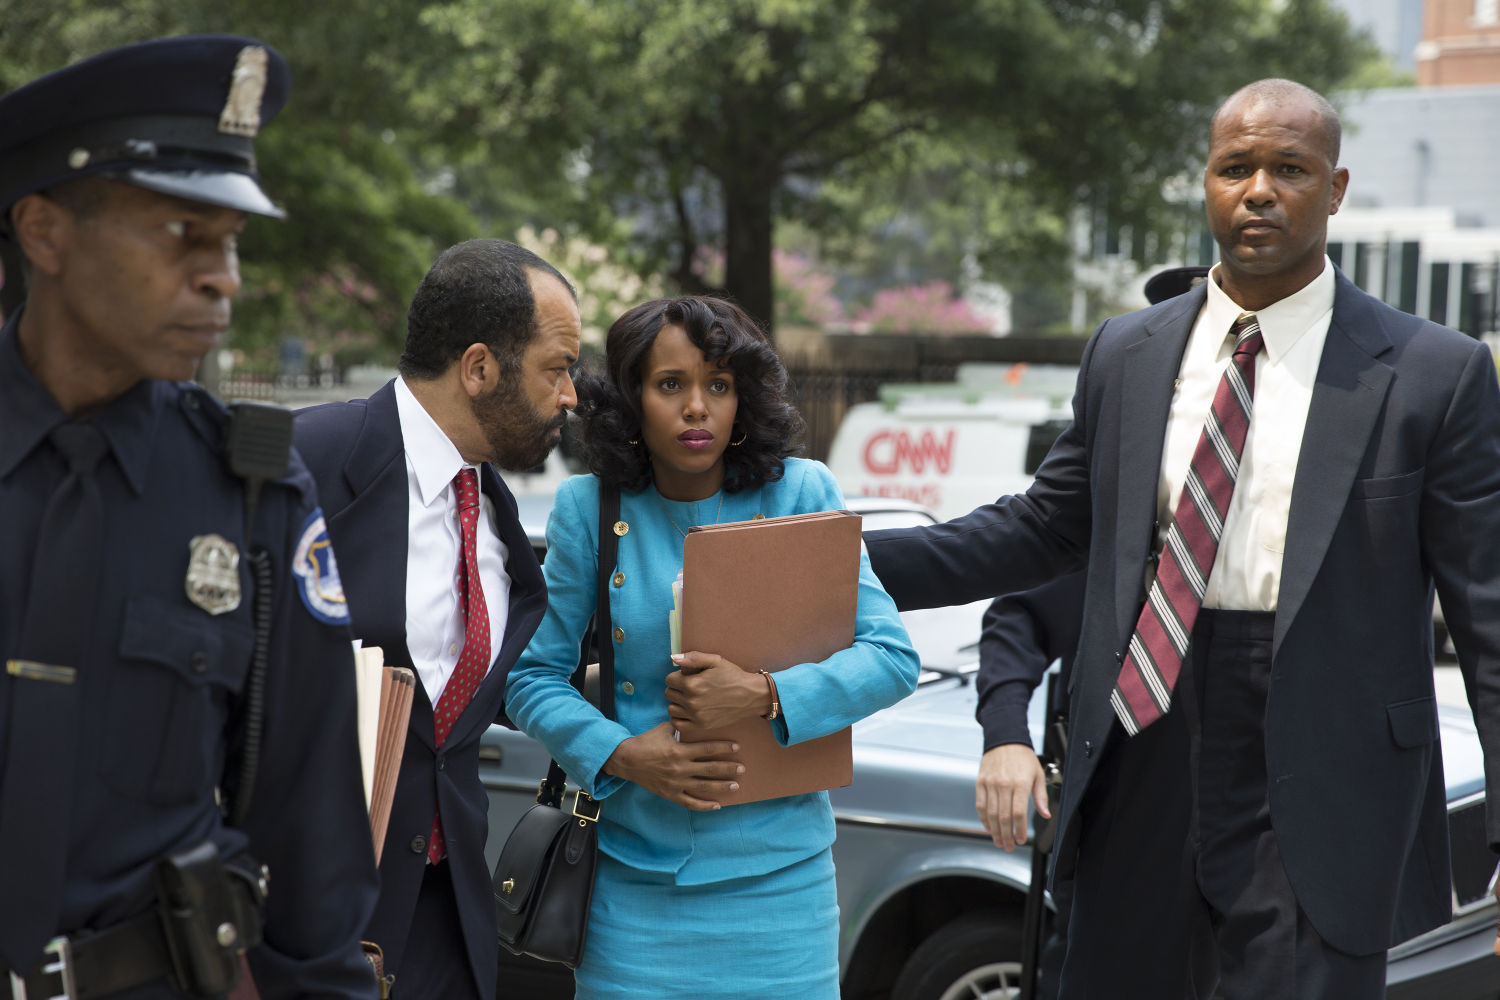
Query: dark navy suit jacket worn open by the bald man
[[1397, 490]]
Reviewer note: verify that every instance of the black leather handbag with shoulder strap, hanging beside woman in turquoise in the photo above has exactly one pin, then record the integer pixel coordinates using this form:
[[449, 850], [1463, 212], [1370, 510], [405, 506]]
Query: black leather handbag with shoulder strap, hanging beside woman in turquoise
[[544, 881]]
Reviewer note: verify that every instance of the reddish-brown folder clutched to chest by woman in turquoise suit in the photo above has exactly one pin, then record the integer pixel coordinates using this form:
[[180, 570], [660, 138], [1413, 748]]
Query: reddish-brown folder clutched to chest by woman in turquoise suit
[[770, 594]]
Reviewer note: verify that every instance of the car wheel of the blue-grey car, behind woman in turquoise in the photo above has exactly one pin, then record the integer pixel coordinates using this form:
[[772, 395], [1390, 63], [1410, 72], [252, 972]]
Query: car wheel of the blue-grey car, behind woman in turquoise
[[970, 959]]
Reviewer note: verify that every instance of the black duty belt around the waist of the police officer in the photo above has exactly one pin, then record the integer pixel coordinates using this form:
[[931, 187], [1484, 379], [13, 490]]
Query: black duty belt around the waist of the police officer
[[127, 956]]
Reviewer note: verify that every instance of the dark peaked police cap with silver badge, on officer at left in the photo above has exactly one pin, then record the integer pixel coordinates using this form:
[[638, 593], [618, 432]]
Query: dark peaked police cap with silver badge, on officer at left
[[176, 116]]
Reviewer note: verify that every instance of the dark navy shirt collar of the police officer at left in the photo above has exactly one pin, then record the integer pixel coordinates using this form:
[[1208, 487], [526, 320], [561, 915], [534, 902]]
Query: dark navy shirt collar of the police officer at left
[[29, 413]]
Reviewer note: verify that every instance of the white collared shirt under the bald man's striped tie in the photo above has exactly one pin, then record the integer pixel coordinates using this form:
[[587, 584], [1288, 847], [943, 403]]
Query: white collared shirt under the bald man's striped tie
[[1247, 570]]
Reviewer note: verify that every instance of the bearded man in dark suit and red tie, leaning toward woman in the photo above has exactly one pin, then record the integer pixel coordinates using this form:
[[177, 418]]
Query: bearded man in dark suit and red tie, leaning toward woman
[[442, 578]]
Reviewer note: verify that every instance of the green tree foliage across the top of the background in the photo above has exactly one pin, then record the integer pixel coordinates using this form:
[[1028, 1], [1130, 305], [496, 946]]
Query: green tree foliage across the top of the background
[[955, 128]]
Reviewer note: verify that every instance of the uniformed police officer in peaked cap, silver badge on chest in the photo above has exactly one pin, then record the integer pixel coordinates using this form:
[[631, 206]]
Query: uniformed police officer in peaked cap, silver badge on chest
[[175, 635]]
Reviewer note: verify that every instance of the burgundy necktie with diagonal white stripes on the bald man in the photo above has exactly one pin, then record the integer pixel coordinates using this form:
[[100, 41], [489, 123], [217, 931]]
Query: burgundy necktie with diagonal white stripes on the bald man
[[1160, 644]]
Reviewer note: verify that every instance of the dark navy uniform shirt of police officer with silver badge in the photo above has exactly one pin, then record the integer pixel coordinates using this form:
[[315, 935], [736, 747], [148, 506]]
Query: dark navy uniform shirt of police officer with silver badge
[[163, 675]]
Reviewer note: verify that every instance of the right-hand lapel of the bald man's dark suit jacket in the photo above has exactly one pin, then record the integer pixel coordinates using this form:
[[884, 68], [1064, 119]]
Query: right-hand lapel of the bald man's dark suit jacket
[[1348, 398]]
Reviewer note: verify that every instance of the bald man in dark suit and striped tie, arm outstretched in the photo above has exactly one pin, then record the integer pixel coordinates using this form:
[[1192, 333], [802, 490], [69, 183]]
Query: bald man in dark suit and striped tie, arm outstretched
[[1265, 481]]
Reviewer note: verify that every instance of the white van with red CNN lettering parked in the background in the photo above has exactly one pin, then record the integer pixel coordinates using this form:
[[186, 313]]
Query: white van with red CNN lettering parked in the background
[[953, 448]]
